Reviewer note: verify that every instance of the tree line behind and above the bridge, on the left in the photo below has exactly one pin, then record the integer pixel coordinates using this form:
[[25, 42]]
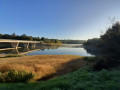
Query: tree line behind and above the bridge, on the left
[[25, 37]]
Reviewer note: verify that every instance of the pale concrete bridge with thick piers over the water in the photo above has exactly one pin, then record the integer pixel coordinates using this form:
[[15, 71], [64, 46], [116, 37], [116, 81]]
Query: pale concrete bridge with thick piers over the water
[[15, 43]]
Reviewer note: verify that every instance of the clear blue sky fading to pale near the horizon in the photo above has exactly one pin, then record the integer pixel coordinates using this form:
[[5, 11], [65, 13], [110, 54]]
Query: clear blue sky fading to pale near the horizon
[[60, 19]]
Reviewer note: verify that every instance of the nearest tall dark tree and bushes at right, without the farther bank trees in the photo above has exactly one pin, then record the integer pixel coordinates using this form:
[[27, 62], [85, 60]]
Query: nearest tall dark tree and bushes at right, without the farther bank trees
[[110, 47]]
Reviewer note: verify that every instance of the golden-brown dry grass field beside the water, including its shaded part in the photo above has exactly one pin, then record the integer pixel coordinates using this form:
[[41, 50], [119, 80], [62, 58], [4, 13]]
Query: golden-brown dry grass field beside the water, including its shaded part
[[43, 65]]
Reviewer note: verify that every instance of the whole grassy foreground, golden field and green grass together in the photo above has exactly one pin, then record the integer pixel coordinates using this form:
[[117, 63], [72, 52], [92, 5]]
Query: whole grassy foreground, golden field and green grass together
[[57, 72]]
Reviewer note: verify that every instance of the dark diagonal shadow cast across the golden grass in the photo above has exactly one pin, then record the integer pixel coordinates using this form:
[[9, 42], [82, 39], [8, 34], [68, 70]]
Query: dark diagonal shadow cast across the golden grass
[[68, 67]]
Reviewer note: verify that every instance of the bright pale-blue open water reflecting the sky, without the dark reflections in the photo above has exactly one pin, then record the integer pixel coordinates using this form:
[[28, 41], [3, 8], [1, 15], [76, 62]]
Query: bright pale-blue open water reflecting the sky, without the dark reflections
[[68, 49]]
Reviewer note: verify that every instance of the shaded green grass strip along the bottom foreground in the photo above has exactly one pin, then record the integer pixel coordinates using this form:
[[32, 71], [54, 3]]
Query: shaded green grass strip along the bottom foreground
[[81, 79]]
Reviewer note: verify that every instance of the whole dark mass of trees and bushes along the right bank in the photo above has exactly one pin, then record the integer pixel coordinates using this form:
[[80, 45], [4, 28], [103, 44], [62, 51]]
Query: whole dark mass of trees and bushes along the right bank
[[108, 46]]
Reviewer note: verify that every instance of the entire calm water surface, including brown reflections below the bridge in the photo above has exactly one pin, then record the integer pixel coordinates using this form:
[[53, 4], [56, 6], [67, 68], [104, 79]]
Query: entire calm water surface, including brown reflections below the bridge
[[67, 49]]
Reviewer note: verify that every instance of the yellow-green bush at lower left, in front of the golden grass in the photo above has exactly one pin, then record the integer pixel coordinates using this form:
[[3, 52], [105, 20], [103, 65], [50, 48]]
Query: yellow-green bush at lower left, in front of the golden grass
[[15, 76]]
